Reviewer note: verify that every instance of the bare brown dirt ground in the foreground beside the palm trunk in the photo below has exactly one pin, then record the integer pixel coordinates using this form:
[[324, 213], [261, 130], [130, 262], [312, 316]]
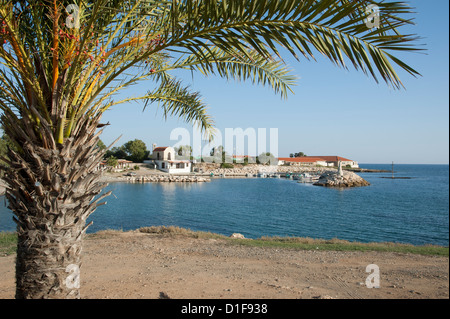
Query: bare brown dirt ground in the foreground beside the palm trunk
[[137, 265]]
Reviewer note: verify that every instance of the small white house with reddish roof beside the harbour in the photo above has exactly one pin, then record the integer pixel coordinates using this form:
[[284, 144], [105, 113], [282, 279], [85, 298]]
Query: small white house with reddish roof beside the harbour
[[164, 159]]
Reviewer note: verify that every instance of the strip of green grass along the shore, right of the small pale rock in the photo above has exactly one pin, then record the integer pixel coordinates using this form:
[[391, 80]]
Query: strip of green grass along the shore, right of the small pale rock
[[341, 245]]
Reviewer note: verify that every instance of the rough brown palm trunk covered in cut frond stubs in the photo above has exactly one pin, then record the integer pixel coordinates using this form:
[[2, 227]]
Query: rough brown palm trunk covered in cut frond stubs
[[52, 191]]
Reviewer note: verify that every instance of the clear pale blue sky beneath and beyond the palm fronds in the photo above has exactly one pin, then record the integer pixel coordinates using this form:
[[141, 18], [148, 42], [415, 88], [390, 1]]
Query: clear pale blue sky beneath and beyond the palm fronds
[[333, 111]]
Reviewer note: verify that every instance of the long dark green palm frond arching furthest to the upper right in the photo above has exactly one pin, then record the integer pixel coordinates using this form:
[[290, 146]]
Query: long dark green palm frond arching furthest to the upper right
[[335, 29]]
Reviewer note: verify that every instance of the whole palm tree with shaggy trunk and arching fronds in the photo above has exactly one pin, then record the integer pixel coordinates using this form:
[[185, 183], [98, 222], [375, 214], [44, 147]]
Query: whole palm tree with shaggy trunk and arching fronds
[[63, 62]]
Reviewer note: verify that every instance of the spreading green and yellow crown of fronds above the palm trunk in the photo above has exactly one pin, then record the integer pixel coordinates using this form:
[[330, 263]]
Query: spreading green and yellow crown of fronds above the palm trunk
[[63, 73]]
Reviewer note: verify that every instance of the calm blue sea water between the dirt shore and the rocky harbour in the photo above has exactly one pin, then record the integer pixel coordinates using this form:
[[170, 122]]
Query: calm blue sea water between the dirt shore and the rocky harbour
[[412, 211]]
